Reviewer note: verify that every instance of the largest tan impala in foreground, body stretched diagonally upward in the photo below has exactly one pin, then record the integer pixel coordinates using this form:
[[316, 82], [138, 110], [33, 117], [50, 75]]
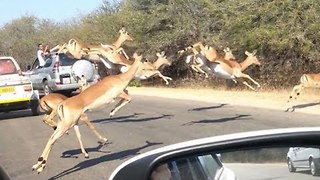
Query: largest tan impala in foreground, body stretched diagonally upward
[[97, 95]]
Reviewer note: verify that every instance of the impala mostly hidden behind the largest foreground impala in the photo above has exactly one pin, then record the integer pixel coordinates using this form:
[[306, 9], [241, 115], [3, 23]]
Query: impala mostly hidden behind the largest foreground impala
[[50, 102]]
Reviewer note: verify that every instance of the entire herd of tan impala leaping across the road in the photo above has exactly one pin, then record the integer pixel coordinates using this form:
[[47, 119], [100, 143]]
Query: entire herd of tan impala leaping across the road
[[72, 111]]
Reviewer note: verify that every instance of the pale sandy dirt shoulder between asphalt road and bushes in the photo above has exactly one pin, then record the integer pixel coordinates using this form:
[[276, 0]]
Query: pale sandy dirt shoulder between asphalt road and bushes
[[308, 102]]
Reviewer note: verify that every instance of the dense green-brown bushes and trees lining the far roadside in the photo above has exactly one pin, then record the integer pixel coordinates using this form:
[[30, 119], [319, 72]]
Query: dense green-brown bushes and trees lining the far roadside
[[286, 34]]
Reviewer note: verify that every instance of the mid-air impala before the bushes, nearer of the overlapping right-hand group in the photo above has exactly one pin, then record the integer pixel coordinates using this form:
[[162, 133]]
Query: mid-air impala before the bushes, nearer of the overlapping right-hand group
[[229, 69]]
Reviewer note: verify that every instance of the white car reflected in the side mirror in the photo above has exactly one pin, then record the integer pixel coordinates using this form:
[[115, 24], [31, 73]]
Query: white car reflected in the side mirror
[[304, 158]]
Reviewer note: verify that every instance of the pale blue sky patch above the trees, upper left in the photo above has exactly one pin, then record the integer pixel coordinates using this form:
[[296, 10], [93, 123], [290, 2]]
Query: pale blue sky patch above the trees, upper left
[[57, 10]]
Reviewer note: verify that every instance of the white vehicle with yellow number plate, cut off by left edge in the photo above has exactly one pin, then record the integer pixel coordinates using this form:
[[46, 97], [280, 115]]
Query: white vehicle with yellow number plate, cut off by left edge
[[16, 90]]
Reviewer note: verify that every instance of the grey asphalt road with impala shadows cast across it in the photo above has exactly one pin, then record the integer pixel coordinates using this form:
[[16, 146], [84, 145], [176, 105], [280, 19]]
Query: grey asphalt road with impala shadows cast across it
[[146, 123]]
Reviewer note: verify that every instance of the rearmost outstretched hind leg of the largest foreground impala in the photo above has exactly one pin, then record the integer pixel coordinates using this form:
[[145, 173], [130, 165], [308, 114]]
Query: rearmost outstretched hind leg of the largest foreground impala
[[42, 160]]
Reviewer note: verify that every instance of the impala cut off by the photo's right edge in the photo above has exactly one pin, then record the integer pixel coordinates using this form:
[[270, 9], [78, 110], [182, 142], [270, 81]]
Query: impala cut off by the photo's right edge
[[306, 81]]
